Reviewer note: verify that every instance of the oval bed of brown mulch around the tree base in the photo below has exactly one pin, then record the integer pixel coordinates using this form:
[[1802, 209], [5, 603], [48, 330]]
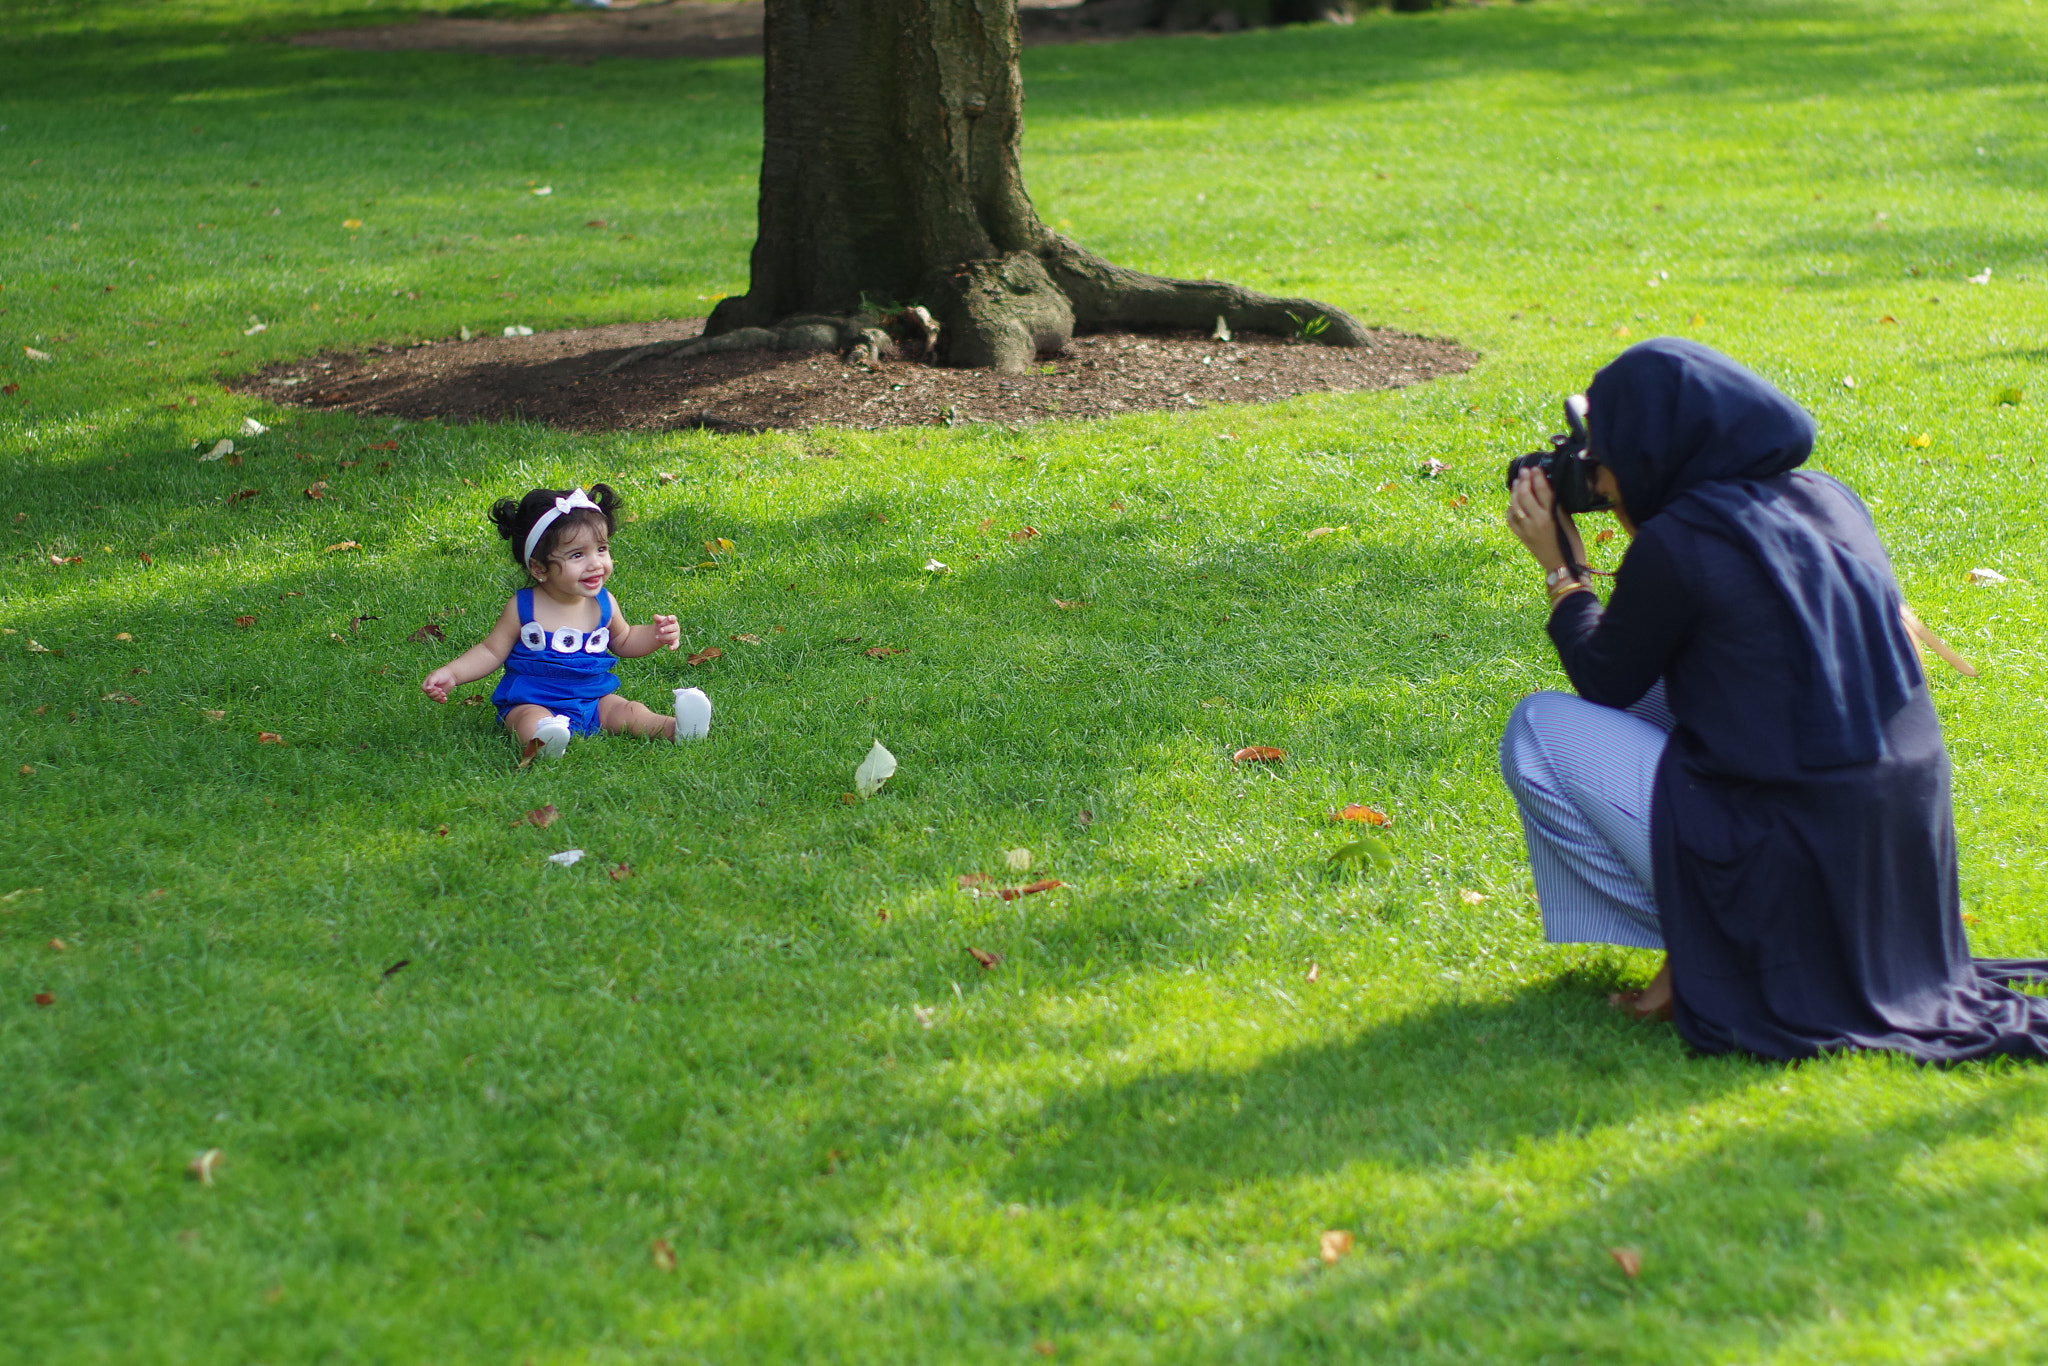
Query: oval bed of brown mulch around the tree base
[[558, 380]]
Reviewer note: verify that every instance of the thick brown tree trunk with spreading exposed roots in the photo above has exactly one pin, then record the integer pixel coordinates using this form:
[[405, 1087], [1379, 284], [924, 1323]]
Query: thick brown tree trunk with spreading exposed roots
[[890, 179]]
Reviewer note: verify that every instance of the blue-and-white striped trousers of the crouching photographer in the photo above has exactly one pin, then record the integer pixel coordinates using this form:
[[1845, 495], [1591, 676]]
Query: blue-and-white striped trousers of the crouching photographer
[[1582, 777]]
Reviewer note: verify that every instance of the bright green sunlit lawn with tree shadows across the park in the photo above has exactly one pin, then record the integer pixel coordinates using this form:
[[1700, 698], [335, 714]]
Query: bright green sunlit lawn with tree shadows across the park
[[1127, 1140]]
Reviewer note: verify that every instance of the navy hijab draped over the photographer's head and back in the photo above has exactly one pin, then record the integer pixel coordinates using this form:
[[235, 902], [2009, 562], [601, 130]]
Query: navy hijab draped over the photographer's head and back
[[1693, 435]]
